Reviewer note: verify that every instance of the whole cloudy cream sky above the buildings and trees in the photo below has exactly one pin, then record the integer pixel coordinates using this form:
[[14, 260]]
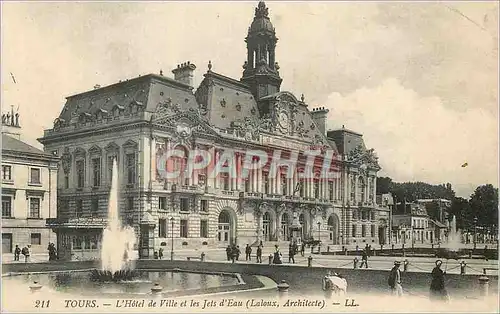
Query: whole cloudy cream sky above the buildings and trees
[[418, 79]]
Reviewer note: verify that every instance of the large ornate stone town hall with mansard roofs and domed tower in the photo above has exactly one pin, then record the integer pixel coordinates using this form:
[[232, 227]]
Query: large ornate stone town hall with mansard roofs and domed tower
[[138, 119]]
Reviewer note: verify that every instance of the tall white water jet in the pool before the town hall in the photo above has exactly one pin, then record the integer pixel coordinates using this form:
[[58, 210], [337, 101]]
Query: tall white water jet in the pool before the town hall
[[118, 242]]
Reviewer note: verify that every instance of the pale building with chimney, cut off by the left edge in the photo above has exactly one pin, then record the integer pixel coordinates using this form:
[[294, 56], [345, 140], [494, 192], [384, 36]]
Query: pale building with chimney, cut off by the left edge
[[29, 190]]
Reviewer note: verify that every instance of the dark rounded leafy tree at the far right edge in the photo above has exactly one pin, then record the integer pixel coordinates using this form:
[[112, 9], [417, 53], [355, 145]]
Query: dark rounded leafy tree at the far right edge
[[484, 206]]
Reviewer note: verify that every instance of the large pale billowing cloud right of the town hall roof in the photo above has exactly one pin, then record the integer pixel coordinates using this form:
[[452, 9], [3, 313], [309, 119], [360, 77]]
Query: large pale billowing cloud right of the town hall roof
[[418, 138]]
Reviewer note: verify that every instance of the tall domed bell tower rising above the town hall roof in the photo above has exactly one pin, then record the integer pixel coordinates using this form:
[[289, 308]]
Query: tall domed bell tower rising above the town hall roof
[[260, 72]]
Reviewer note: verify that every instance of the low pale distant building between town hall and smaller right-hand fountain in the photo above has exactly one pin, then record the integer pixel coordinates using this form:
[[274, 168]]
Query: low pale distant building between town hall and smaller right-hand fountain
[[411, 224]]
